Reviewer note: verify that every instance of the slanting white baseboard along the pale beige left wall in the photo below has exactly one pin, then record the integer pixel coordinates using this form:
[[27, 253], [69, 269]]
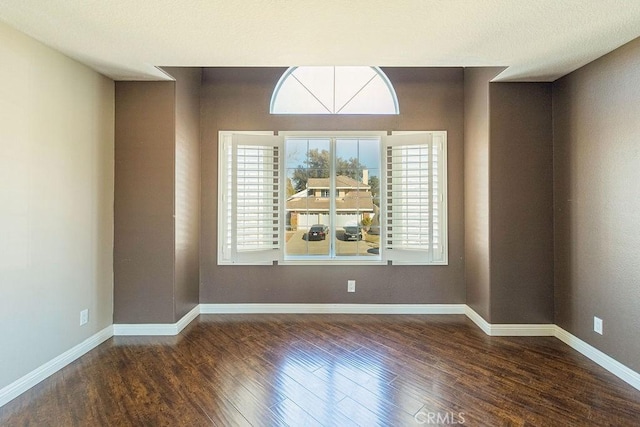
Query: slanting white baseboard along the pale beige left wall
[[41, 373]]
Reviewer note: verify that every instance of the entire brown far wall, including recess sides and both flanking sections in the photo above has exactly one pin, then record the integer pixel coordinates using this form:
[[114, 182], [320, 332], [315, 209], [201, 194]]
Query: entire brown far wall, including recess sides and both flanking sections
[[508, 162]]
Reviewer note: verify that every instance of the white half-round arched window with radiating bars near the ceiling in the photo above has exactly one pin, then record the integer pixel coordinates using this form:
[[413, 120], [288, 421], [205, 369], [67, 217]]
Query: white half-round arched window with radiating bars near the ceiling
[[334, 90]]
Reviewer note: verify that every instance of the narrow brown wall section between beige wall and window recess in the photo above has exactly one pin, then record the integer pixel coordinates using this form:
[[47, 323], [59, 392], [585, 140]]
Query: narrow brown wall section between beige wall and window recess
[[143, 261]]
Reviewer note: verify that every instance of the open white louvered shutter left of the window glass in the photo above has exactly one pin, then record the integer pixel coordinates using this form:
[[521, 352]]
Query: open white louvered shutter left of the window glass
[[249, 197]]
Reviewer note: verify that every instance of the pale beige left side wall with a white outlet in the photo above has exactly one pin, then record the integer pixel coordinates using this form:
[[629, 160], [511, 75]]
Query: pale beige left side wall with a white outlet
[[56, 203]]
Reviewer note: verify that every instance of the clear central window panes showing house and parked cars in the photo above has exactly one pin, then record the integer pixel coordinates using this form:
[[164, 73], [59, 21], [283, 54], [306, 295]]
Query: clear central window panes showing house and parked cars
[[333, 185]]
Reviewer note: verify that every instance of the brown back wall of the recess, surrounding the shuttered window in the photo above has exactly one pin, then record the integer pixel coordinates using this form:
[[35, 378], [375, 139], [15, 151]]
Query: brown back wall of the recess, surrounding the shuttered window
[[238, 99]]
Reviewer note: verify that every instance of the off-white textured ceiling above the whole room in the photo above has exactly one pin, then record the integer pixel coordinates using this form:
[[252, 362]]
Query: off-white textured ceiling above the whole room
[[538, 40]]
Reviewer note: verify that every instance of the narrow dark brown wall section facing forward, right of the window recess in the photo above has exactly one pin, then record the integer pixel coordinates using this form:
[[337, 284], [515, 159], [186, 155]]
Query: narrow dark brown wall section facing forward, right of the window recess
[[521, 203]]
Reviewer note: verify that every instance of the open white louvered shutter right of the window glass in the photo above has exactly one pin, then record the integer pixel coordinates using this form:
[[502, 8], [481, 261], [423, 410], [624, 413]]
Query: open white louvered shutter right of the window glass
[[415, 194]]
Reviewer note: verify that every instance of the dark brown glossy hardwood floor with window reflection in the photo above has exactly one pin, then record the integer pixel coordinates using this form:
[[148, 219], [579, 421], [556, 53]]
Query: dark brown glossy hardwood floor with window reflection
[[331, 370]]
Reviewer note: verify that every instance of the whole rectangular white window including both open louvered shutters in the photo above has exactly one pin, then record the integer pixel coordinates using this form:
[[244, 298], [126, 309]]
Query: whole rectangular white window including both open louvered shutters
[[369, 198]]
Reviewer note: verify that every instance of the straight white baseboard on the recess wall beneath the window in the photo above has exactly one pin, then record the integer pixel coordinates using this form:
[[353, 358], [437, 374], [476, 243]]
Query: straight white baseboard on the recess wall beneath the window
[[333, 308]]
